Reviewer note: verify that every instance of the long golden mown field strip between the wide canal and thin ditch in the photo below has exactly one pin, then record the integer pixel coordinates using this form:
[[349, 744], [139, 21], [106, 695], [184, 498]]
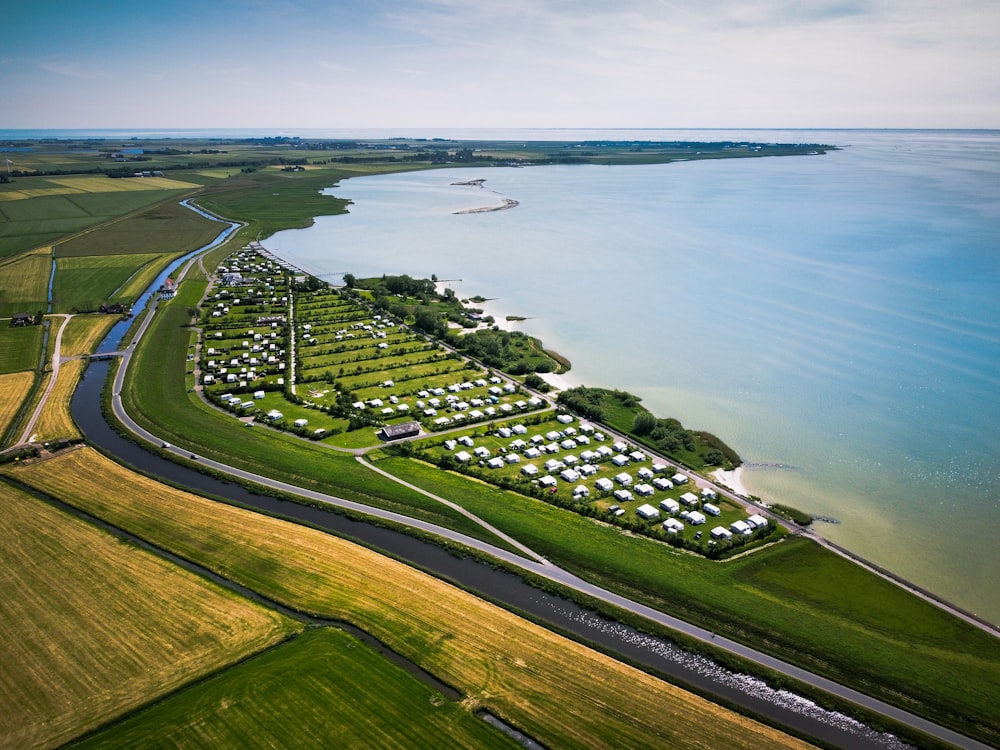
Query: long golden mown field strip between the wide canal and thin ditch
[[560, 692]]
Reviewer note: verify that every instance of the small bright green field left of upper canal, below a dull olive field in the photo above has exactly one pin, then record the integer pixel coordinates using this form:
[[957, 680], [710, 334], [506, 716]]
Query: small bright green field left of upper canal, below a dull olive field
[[84, 283]]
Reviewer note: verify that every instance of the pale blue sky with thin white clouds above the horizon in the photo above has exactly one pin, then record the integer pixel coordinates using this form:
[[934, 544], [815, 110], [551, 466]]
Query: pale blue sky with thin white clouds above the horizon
[[506, 64]]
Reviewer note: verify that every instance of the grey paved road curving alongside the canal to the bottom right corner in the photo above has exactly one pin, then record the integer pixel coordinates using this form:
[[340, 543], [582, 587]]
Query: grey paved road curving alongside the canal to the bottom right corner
[[537, 565]]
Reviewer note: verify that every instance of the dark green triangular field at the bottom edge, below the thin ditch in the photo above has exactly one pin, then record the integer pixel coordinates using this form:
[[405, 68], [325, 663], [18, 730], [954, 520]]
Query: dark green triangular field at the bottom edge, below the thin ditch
[[324, 686]]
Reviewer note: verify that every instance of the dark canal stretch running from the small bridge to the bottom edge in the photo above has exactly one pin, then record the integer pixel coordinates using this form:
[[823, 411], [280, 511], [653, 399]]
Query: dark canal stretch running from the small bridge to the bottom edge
[[698, 672]]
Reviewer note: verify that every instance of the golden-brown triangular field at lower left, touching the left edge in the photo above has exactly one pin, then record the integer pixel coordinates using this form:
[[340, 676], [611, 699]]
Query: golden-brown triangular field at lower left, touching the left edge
[[91, 627]]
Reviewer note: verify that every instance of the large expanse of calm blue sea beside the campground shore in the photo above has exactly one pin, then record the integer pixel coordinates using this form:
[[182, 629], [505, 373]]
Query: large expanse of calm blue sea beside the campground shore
[[837, 315]]
